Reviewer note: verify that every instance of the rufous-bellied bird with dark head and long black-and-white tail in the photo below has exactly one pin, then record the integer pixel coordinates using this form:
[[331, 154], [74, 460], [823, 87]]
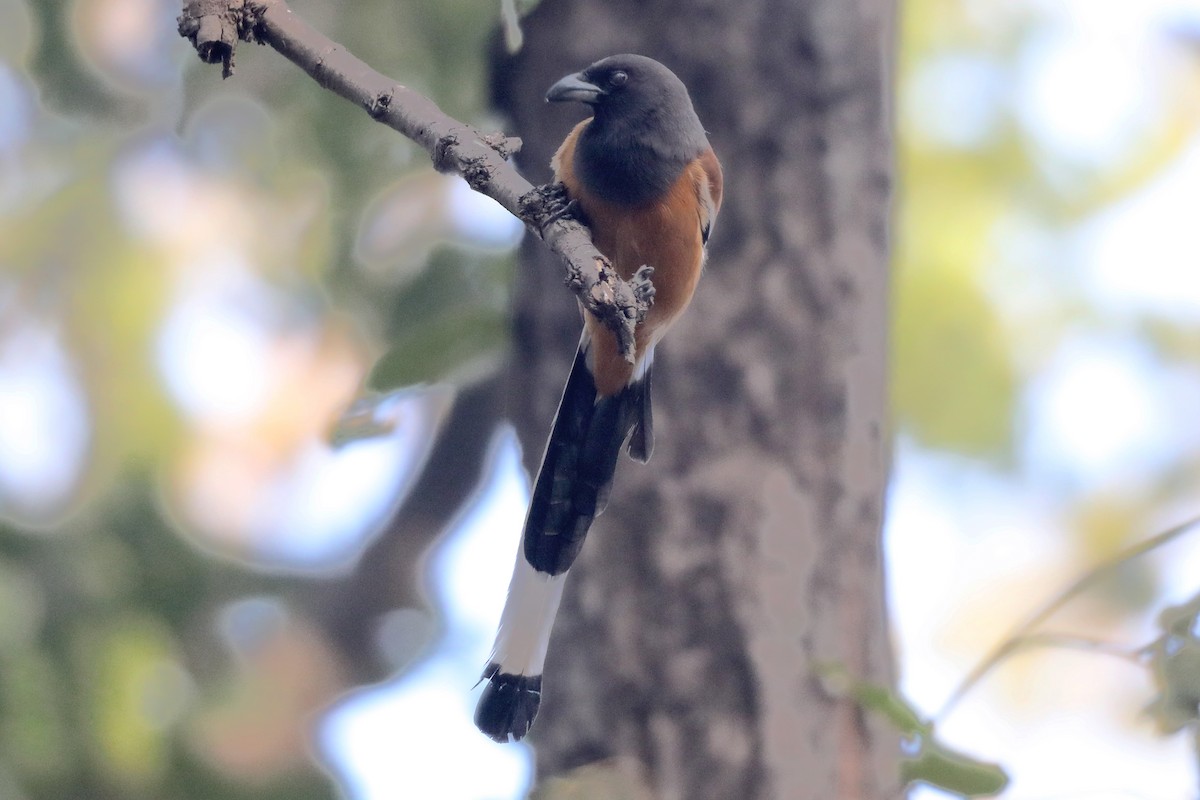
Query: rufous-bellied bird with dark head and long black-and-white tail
[[643, 176]]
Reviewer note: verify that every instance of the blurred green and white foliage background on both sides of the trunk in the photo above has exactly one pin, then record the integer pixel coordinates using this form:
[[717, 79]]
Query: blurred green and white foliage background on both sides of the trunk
[[236, 318]]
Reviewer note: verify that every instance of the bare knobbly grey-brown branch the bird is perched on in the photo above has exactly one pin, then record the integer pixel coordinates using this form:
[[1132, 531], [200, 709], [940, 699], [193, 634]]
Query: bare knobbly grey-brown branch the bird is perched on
[[215, 26]]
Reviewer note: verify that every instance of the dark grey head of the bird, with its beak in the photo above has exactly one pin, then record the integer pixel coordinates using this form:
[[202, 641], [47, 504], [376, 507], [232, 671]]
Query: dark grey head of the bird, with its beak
[[644, 131]]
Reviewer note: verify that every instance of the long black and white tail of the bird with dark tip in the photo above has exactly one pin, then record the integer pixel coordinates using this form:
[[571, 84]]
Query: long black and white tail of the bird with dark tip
[[572, 490]]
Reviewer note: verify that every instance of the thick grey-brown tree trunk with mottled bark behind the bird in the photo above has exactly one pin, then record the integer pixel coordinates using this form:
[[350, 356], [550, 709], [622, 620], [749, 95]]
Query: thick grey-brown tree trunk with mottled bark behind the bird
[[748, 551]]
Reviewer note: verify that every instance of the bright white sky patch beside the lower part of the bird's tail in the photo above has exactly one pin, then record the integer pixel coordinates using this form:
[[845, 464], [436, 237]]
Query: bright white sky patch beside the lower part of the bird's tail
[[413, 737]]
